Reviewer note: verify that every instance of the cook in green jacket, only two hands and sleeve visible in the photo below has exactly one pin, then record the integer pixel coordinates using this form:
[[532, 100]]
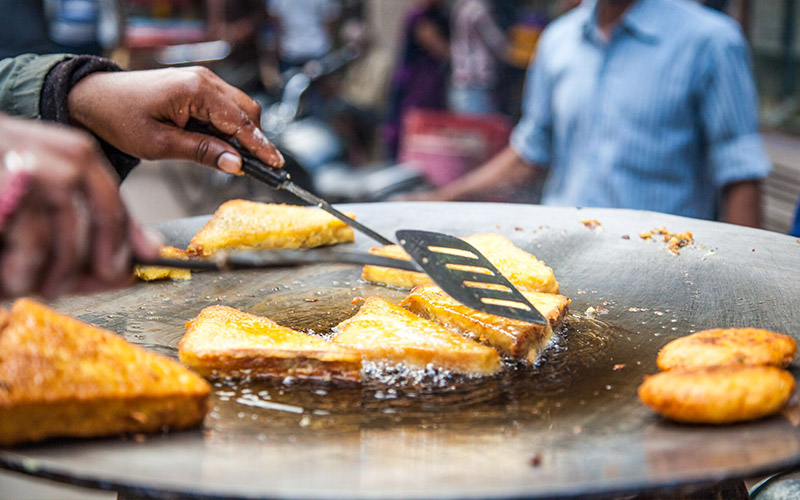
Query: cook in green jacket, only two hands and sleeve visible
[[63, 225]]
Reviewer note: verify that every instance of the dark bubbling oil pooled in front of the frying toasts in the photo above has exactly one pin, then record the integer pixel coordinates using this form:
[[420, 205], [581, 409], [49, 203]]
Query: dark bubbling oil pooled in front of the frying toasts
[[565, 377]]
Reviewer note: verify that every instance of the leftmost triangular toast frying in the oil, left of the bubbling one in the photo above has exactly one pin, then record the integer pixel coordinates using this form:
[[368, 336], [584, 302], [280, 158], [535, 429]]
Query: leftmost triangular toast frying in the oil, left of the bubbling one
[[222, 341]]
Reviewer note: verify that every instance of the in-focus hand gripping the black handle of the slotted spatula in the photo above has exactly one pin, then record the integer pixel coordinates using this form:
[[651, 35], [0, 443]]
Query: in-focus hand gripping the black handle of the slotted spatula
[[143, 113]]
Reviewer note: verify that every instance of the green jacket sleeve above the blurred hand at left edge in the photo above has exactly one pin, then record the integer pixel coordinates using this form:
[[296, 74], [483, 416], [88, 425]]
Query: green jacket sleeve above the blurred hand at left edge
[[21, 82]]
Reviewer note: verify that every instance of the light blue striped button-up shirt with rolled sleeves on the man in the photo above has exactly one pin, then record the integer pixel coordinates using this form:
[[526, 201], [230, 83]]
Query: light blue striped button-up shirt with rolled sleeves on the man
[[659, 117]]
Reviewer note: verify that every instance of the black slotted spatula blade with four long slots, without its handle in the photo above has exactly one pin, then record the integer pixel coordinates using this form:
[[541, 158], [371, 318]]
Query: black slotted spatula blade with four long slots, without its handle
[[466, 275]]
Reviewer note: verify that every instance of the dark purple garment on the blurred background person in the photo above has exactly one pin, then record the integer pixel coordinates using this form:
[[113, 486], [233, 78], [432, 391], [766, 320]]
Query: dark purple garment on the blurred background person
[[420, 80]]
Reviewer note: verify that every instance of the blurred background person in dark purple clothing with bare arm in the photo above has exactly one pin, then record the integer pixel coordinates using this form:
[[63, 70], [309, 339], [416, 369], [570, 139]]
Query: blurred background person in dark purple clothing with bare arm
[[420, 78]]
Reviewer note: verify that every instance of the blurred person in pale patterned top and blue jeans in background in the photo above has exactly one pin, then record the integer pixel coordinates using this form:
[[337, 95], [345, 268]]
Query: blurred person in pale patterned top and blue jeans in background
[[477, 48]]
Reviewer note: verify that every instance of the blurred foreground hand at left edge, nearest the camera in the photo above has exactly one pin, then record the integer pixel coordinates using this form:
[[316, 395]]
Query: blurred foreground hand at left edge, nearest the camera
[[63, 226]]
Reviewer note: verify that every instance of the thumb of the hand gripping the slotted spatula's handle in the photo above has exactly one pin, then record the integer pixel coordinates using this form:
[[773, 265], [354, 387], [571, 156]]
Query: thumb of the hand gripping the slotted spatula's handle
[[204, 149]]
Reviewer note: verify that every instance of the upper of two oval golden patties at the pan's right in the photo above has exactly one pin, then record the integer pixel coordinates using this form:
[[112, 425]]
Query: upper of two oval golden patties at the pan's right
[[730, 346]]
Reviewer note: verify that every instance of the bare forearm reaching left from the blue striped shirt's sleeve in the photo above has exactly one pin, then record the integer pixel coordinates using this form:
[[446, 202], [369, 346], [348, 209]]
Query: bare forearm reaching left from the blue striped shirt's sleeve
[[505, 169]]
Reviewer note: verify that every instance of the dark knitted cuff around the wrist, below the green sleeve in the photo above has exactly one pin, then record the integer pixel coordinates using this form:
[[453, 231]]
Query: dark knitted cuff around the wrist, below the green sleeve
[[53, 101]]
